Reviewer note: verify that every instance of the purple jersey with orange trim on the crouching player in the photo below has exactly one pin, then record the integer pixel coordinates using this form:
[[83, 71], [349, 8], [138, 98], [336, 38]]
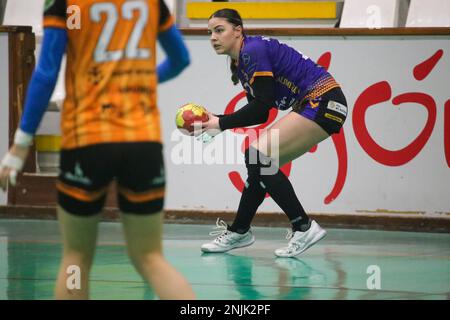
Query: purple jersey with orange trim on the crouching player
[[296, 76]]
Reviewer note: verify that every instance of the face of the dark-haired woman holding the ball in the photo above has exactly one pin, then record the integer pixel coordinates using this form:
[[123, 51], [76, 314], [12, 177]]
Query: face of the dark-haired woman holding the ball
[[225, 37]]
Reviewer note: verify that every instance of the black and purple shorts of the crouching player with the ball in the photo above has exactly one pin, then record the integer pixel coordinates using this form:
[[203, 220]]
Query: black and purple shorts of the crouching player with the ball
[[329, 110]]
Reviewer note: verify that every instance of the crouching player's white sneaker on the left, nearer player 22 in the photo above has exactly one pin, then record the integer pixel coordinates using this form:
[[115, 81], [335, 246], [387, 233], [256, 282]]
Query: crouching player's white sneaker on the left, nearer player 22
[[227, 239]]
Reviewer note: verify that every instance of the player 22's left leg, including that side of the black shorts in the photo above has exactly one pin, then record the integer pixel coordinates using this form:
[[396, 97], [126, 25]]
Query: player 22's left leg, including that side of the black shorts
[[82, 187]]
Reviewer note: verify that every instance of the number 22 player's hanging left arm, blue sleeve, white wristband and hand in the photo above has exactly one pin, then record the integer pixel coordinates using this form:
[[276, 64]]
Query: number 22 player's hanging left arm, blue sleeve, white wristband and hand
[[40, 89]]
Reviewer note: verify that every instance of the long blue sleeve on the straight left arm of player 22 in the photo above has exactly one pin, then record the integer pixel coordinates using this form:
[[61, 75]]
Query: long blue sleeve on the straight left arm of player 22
[[43, 80]]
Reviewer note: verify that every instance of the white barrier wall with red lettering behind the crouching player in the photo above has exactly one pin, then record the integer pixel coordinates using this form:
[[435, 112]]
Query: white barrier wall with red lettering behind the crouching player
[[391, 157]]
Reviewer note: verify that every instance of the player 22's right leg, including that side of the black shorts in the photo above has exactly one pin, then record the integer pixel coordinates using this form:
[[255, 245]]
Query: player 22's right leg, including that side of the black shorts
[[141, 198]]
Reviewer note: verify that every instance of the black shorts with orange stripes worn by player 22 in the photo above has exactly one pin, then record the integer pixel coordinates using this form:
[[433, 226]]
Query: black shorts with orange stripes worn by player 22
[[86, 173]]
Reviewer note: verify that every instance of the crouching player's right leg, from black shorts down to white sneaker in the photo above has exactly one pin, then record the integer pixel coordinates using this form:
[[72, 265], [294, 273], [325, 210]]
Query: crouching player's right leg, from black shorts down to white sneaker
[[289, 138]]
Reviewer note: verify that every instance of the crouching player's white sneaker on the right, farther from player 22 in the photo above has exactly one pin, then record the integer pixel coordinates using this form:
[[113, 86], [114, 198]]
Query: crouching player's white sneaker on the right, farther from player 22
[[300, 241]]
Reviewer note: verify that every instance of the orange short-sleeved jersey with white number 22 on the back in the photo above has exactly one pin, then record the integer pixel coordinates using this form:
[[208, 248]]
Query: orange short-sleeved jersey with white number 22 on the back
[[111, 69]]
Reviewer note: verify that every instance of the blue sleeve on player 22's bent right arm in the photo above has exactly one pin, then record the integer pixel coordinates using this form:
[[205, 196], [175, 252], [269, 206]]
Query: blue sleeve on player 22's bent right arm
[[177, 54]]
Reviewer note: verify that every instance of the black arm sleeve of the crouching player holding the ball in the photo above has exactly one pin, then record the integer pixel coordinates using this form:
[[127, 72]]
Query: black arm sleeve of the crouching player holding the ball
[[257, 110]]
